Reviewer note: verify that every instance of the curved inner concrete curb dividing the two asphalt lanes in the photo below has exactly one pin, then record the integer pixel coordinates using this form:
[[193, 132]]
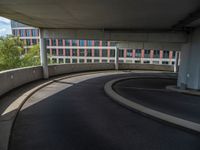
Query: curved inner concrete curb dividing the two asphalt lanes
[[148, 111]]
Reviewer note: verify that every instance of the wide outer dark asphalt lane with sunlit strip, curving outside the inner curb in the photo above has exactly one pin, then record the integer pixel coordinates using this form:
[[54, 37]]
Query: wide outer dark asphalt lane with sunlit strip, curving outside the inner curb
[[75, 114]]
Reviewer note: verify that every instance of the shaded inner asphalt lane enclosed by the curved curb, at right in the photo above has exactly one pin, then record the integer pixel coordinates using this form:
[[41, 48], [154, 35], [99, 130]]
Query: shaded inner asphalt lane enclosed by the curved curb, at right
[[152, 93]]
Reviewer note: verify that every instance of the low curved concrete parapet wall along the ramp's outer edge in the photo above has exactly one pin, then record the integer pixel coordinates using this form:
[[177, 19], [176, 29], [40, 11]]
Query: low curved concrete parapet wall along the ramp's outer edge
[[13, 78]]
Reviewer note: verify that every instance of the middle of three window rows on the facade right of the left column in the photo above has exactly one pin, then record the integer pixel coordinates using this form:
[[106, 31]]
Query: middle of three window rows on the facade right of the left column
[[105, 53]]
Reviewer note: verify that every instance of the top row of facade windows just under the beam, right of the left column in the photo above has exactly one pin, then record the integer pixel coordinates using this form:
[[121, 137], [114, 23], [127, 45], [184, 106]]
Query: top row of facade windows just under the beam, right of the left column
[[61, 42]]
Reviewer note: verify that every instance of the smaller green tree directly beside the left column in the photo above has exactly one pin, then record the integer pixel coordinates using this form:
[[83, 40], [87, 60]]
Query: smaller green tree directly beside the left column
[[32, 57]]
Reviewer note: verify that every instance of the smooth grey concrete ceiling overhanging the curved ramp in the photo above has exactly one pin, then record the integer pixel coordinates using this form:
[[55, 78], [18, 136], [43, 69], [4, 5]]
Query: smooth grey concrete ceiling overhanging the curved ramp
[[101, 14]]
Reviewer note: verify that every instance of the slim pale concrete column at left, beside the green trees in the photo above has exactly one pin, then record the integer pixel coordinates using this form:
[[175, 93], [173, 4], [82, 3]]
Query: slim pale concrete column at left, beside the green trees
[[43, 56]]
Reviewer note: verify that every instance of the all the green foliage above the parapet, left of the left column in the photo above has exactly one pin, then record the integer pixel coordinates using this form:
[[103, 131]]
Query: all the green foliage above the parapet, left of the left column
[[12, 54]]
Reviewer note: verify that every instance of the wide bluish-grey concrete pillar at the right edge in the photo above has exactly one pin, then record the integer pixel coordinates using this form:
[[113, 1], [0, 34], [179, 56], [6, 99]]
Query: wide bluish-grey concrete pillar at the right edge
[[189, 71]]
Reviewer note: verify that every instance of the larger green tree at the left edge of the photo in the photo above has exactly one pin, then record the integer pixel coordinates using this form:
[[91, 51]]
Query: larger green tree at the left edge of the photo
[[11, 49]]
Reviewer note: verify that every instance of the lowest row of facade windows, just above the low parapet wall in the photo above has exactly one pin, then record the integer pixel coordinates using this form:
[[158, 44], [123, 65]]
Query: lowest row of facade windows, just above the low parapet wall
[[74, 60]]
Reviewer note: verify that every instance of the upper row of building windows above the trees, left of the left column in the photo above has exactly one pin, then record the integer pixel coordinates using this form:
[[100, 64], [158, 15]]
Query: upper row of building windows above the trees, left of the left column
[[26, 32]]
